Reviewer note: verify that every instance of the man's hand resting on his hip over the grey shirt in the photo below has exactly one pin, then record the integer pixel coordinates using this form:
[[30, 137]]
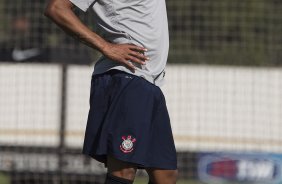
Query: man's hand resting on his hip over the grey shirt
[[126, 54]]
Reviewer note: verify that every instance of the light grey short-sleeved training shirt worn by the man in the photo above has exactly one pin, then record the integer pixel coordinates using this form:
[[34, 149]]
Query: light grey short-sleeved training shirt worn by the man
[[139, 22]]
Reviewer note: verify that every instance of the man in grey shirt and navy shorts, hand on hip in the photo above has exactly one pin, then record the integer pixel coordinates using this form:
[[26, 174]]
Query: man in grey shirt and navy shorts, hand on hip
[[128, 125]]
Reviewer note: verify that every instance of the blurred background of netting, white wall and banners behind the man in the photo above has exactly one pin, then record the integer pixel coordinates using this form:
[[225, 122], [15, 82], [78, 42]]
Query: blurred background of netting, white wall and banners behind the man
[[223, 90]]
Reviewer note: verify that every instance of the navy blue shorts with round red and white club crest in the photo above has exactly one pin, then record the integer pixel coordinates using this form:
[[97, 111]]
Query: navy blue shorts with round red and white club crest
[[128, 119]]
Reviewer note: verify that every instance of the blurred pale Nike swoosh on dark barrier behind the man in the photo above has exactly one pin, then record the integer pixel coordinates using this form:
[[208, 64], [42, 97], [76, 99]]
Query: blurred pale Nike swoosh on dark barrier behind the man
[[20, 55]]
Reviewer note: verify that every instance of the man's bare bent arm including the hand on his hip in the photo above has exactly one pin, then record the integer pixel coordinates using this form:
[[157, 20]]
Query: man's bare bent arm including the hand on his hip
[[60, 11]]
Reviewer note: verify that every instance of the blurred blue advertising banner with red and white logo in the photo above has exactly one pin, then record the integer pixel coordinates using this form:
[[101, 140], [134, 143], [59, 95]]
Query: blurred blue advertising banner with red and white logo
[[255, 168]]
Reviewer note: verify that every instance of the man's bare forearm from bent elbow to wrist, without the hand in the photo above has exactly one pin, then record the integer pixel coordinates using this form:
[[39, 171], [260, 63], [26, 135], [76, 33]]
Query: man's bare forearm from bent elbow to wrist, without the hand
[[65, 18]]
